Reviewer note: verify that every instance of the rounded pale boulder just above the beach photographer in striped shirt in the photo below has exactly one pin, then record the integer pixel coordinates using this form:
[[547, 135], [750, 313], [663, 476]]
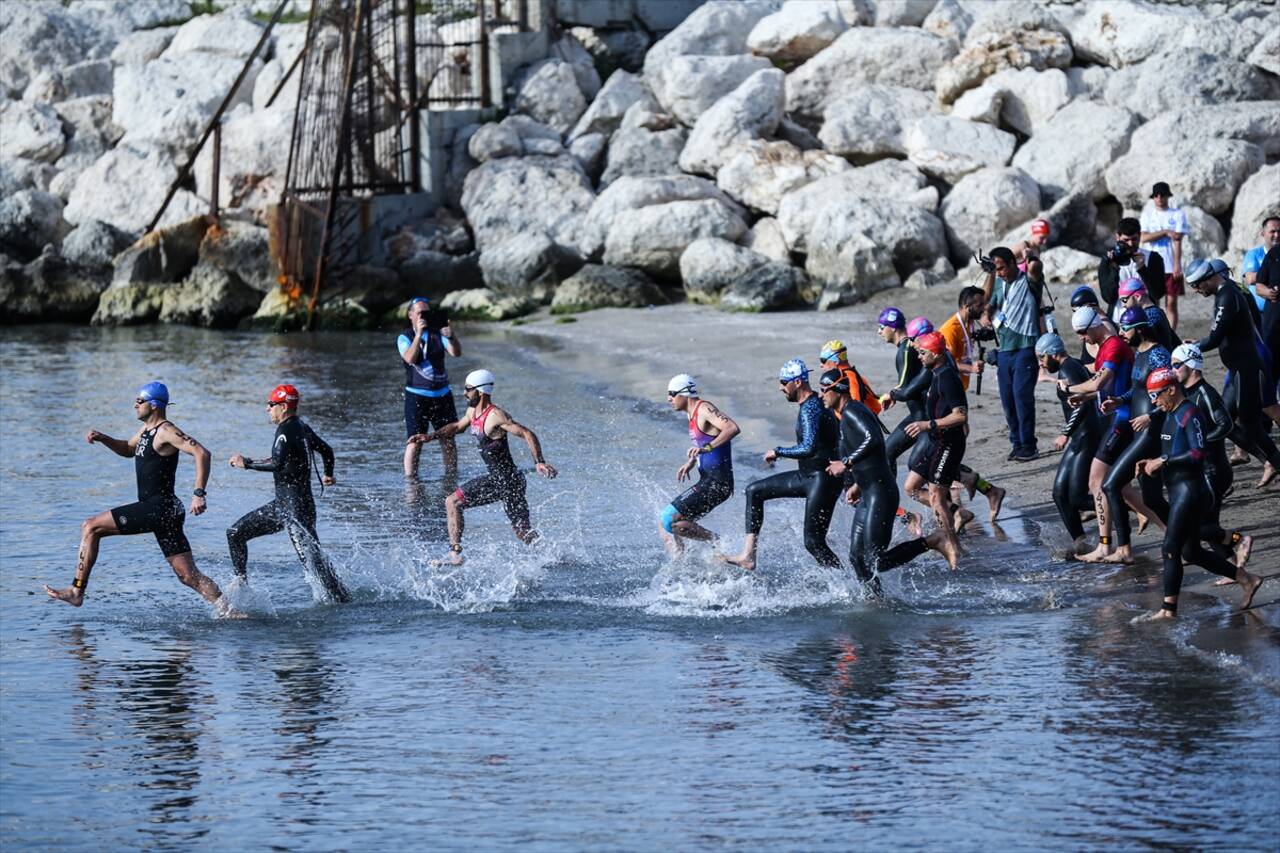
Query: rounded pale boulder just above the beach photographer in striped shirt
[[984, 206]]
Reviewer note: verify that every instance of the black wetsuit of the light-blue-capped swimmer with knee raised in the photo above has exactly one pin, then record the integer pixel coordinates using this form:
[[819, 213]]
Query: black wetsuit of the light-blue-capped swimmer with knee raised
[[817, 444]]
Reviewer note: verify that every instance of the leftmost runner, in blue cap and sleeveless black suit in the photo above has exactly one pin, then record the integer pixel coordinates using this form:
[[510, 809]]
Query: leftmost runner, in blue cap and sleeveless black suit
[[156, 450]]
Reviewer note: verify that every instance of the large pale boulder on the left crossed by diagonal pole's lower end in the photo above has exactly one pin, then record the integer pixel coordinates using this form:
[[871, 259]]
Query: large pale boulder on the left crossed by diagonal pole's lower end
[[125, 189]]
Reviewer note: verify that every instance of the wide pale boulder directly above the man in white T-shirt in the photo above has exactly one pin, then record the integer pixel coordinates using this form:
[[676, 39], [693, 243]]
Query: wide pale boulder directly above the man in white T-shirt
[[1208, 175]]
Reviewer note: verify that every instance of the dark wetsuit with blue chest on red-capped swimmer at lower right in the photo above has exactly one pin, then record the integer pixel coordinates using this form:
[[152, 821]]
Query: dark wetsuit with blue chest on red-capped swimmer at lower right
[[1183, 450]]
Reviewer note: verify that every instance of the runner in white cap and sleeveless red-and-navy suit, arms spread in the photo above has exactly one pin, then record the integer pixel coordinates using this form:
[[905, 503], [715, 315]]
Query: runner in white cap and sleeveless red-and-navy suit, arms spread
[[504, 481]]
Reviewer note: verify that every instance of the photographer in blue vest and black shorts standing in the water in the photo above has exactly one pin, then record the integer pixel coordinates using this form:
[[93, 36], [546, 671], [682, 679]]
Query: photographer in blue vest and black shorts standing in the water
[[428, 398]]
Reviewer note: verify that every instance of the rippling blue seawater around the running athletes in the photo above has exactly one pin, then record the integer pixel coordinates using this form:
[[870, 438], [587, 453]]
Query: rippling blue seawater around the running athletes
[[588, 692]]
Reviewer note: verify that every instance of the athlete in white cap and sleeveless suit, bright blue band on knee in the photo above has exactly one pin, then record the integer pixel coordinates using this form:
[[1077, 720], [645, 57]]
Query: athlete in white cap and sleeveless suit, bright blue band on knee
[[711, 434]]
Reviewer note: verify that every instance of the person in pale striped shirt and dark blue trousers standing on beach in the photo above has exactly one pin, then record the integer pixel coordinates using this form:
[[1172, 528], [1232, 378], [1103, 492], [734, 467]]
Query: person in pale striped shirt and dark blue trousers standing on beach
[[1013, 308]]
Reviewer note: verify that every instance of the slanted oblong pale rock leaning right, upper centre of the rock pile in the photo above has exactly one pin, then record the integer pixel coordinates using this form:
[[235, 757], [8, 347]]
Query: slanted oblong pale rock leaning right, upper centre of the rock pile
[[753, 111]]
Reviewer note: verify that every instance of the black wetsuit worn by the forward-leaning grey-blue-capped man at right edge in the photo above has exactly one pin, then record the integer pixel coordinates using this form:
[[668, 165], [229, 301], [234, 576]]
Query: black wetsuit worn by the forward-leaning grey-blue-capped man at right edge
[[1236, 336]]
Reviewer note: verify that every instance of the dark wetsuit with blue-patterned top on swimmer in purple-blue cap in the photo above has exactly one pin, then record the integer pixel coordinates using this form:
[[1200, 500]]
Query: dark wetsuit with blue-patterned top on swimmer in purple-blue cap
[[1144, 446]]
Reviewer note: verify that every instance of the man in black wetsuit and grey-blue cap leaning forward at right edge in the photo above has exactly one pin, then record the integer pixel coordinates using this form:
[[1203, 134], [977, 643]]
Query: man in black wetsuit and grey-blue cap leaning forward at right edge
[[1235, 335]]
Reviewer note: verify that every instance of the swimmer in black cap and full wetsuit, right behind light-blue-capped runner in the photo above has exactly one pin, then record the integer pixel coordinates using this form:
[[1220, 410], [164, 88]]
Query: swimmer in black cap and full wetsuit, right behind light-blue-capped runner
[[863, 460]]
